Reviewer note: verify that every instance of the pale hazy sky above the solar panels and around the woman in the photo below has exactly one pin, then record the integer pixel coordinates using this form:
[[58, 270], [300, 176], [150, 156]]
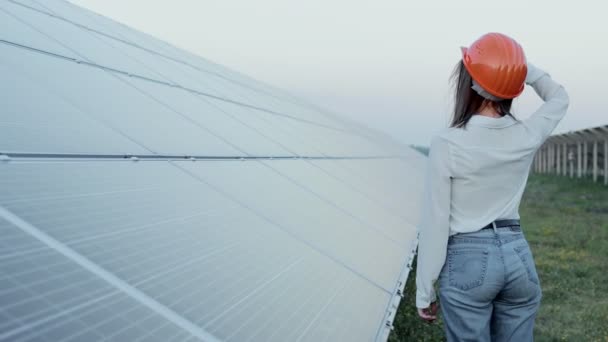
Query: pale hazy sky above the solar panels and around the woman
[[385, 63]]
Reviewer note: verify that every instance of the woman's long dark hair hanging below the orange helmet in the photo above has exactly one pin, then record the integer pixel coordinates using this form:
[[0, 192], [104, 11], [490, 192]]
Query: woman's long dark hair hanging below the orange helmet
[[466, 100]]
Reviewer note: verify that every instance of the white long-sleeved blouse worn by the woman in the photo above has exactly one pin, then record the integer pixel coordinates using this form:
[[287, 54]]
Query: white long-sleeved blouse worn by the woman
[[478, 174]]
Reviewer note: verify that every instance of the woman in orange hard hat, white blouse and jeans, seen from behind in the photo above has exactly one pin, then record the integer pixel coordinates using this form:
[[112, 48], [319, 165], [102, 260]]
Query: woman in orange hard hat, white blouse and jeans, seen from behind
[[470, 239]]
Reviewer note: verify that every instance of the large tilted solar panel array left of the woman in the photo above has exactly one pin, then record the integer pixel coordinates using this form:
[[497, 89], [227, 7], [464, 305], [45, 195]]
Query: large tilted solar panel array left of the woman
[[151, 195]]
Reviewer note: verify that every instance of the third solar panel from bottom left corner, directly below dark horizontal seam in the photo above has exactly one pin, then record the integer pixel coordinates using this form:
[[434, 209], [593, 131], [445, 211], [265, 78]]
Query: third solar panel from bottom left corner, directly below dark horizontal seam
[[302, 212]]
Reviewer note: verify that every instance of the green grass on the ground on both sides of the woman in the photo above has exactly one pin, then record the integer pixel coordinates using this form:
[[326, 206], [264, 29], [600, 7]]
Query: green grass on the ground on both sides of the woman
[[566, 223]]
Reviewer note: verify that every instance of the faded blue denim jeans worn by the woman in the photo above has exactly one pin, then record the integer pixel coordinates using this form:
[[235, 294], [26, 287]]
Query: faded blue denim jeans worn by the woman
[[488, 288]]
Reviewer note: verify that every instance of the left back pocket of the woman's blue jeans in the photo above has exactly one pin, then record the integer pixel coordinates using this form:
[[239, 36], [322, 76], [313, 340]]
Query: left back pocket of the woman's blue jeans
[[467, 267]]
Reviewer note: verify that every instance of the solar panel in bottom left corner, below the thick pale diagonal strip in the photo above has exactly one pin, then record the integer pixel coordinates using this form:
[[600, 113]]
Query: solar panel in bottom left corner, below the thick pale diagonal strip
[[47, 297]]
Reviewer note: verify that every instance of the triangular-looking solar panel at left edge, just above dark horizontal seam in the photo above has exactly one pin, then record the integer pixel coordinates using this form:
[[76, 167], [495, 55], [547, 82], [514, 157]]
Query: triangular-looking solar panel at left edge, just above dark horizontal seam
[[50, 124]]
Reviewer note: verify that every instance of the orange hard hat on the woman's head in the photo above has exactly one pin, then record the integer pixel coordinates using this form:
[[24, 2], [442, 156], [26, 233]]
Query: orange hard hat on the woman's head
[[498, 64]]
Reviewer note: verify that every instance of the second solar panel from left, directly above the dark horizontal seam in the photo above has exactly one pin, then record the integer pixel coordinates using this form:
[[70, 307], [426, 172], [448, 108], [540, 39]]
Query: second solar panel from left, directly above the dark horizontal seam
[[119, 105]]
